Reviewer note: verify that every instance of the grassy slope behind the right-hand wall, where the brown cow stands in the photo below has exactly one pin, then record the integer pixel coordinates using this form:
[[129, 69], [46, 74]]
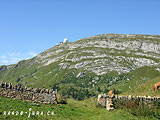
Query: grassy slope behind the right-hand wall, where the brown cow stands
[[143, 78]]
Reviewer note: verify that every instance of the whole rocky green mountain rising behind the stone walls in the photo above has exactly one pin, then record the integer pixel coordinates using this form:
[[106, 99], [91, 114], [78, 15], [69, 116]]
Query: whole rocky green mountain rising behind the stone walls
[[91, 65]]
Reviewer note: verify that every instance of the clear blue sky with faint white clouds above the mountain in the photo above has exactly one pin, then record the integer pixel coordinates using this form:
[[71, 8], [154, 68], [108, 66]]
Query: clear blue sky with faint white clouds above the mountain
[[29, 27]]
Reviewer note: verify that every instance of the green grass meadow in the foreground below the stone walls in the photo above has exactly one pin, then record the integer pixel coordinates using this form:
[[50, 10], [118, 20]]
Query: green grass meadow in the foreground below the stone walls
[[74, 110]]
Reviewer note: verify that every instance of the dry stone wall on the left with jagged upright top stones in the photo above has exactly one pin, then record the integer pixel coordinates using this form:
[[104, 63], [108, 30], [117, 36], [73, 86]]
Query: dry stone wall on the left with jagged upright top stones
[[28, 94]]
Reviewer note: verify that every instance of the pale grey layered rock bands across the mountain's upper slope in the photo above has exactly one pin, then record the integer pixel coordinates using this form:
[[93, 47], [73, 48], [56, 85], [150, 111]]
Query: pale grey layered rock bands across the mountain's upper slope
[[105, 53]]
